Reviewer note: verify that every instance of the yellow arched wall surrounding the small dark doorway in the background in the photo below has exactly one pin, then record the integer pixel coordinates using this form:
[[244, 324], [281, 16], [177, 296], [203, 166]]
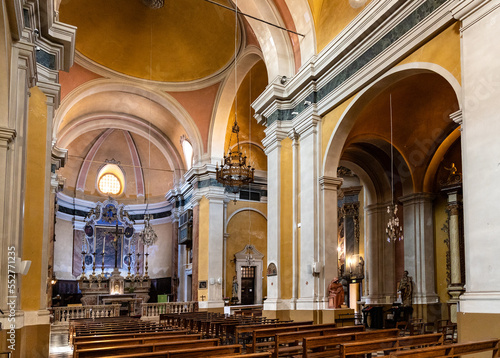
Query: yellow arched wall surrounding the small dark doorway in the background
[[246, 227]]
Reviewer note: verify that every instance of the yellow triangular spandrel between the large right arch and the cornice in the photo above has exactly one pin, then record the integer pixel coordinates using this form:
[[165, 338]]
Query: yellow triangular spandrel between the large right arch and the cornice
[[443, 50]]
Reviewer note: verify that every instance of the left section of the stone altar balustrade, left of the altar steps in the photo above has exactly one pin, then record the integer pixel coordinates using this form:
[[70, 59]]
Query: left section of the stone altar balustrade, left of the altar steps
[[62, 315]]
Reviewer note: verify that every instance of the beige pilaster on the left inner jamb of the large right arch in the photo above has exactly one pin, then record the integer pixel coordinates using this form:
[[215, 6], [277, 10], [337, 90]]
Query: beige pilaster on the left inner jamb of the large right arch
[[328, 239]]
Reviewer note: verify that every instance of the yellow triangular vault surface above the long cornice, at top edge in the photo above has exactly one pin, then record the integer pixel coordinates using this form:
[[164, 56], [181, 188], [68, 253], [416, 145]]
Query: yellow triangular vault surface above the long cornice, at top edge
[[330, 18]]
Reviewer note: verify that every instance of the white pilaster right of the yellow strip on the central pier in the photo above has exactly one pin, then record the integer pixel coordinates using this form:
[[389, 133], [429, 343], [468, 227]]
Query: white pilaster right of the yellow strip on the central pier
[[309, 212]]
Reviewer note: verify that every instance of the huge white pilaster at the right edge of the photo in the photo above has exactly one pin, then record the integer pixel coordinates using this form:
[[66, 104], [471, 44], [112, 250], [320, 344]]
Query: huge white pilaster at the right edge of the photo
[[480, 92]]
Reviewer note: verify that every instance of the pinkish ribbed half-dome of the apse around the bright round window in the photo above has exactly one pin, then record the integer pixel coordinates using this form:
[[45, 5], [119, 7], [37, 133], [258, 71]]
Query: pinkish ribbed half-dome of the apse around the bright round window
[[140, 161]]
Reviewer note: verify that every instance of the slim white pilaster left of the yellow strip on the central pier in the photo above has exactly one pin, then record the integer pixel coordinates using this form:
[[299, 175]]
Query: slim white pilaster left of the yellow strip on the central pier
[[275, 133]]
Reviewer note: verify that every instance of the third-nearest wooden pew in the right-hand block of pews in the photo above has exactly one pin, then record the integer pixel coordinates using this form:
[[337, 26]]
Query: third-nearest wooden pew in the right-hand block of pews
[[326, 346]]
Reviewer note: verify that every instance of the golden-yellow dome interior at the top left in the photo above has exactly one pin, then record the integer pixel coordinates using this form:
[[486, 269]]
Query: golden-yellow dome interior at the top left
[[183, 41]]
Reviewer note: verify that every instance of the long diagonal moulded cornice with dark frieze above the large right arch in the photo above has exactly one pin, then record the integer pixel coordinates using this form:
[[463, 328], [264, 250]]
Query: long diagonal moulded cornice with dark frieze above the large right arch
[[395, 30]]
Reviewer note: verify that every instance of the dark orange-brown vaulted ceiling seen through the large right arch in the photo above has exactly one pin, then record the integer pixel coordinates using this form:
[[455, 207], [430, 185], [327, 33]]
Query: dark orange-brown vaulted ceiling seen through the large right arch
[[421, 105]]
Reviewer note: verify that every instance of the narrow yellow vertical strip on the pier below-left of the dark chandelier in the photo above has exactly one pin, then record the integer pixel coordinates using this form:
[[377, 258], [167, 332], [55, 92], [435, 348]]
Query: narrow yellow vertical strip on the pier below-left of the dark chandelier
[[203, 245]]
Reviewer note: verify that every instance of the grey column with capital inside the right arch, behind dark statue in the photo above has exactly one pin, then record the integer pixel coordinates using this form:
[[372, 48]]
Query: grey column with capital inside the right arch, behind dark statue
[[418, 226]]
